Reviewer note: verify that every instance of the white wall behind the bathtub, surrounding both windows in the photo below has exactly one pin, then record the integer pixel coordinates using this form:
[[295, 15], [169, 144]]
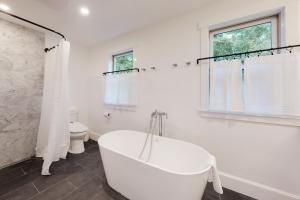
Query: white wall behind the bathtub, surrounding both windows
[[261, 160]]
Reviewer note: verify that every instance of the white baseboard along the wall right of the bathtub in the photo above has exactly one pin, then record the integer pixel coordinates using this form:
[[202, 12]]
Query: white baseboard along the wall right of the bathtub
[[255, 190]]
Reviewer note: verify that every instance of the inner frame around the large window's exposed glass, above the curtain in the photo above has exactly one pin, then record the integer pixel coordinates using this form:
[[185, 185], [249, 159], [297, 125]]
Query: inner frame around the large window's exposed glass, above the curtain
[[275, 30]]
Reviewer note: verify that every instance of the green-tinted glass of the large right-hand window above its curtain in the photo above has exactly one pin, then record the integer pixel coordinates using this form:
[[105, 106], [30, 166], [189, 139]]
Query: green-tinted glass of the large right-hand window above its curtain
[[251, 38]]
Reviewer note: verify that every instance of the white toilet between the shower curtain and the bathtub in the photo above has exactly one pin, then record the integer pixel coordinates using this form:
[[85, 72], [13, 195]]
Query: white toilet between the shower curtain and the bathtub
[[78, 134]]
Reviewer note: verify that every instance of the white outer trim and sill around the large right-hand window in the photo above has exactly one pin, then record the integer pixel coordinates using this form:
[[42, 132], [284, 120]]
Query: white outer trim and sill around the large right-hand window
[[205, 51]]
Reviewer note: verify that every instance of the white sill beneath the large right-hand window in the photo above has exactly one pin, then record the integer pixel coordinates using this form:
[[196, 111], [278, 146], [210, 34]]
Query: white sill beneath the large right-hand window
[[251, 117]]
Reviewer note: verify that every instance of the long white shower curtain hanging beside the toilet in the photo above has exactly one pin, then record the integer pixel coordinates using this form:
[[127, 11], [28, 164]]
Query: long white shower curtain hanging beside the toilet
[[54, 136]]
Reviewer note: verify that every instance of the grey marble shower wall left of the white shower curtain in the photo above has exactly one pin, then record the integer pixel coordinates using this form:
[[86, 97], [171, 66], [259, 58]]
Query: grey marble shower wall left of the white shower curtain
[[21, 87]]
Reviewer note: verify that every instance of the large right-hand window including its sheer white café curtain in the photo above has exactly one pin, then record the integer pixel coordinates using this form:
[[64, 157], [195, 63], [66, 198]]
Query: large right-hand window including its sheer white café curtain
[[245, 83]]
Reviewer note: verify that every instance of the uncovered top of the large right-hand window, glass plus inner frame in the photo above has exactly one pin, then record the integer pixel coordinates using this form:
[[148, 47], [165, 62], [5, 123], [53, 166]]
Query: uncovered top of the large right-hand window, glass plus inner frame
[[251, 36]]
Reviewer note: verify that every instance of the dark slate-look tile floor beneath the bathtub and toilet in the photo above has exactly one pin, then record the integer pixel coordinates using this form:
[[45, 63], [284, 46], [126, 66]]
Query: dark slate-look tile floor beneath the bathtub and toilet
[[79, 177]]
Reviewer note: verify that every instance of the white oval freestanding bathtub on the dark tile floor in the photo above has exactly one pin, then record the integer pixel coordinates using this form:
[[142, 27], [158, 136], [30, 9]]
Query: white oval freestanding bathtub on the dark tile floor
[[177, 170]]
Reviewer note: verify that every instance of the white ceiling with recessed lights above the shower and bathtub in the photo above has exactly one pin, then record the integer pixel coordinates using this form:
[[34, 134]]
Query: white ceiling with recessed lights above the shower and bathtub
[[108, 18]]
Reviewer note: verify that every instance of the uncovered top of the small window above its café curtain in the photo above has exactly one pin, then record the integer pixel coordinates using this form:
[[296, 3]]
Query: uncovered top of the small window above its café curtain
[[123, 61]]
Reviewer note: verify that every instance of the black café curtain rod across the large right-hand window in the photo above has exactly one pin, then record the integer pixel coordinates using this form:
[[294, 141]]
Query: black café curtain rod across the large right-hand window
[[289, 48]]
